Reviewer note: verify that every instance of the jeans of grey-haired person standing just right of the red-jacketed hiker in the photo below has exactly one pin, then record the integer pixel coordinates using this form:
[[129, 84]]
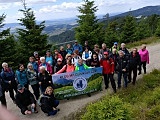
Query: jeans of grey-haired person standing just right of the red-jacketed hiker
[[124, 77]]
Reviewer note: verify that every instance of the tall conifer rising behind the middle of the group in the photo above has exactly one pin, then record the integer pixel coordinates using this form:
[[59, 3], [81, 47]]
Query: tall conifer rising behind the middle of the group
[[89, 29]]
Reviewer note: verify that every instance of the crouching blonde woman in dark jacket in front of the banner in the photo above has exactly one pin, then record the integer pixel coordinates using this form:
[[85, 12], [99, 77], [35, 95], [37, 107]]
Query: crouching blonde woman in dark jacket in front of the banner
[[48, 102]]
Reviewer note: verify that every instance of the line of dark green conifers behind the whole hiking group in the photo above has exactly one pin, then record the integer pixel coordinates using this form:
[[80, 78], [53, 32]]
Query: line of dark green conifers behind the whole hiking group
[[15, 49]]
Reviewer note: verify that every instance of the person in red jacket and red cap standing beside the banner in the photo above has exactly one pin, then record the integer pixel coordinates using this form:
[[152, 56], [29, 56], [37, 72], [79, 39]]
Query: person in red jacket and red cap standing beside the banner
[[108, 70]]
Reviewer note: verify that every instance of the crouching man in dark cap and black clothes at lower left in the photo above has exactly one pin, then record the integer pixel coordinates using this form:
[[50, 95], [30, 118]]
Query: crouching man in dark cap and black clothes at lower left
[[25, 100]]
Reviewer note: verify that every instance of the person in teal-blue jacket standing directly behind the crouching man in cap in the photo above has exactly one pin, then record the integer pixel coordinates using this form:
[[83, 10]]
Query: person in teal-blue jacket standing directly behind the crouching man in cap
[[21, 75]]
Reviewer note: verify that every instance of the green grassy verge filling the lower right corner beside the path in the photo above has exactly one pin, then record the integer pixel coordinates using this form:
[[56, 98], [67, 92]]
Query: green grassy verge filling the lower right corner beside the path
[[139, 102]]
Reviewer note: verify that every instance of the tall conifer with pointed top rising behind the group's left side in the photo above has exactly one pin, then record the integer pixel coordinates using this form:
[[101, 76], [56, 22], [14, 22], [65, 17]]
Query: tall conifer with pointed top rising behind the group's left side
[[30, 36]]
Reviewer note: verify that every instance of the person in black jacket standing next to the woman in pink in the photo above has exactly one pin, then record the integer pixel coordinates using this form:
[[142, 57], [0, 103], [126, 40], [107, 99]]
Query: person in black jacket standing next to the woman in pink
[[134, 63]]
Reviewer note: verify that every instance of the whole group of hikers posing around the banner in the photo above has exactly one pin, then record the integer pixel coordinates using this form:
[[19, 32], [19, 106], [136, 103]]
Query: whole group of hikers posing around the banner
[[39, 71]]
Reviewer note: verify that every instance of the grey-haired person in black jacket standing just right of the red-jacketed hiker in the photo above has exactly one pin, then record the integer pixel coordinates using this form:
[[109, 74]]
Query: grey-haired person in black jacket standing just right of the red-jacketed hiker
[[122, 68]]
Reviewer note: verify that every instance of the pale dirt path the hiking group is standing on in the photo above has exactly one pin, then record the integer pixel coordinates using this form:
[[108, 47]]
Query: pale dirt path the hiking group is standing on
[[69, 106]]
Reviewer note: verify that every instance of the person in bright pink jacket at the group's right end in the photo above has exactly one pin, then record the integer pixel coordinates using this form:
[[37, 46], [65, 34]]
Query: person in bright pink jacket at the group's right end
[[144, 54]]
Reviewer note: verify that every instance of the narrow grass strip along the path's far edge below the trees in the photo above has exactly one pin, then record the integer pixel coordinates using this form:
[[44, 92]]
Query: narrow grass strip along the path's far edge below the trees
[[146, 41]]
